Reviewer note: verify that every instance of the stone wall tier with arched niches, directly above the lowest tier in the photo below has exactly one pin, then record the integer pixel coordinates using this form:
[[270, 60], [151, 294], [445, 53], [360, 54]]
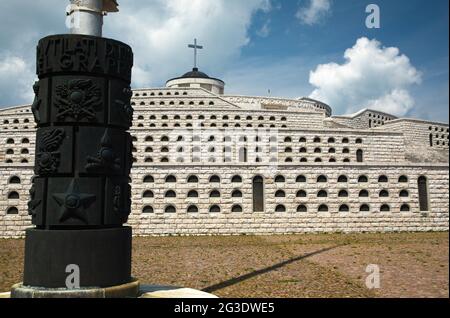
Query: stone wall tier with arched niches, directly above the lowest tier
[[285, 145]]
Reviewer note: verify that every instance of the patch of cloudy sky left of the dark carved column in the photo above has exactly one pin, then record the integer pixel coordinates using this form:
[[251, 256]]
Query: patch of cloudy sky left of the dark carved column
[[24, 23]]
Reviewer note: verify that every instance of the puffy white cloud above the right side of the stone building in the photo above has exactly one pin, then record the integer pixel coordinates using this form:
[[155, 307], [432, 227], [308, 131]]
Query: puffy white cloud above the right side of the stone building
[[373, 76]]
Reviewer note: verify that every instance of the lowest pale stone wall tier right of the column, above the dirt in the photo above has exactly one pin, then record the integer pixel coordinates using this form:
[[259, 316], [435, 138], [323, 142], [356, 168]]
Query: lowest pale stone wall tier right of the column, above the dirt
[[204, 222]]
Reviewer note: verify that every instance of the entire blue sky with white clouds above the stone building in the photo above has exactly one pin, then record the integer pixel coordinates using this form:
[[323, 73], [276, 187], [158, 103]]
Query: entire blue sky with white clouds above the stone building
[[316, 48]]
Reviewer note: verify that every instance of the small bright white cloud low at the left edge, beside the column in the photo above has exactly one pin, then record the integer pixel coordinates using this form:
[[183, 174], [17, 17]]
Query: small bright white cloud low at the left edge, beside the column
[[16, 79]]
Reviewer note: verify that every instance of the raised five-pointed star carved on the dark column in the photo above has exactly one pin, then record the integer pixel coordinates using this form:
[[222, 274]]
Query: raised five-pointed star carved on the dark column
[[73, 203]]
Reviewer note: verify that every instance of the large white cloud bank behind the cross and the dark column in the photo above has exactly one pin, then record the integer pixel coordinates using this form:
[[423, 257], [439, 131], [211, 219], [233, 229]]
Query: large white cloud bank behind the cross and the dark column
[[158, 31]]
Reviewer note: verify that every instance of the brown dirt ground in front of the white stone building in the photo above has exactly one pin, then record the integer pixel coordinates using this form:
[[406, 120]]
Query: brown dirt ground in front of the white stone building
[[411, 265]]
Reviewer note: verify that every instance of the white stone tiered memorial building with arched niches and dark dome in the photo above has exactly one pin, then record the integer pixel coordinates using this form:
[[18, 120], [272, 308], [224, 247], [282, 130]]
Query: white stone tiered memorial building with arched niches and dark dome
[[208, 163]]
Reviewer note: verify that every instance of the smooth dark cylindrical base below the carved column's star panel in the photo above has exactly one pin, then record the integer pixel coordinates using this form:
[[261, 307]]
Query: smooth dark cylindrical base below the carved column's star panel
[[102, 257]]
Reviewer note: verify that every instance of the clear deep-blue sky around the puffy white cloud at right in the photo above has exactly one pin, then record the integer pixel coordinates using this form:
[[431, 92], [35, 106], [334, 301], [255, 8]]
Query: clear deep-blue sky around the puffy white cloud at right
[[420, 29]]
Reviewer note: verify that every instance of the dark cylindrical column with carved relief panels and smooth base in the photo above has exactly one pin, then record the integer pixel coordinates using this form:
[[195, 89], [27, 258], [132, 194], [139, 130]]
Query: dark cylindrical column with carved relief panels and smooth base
[[80, 196]]
